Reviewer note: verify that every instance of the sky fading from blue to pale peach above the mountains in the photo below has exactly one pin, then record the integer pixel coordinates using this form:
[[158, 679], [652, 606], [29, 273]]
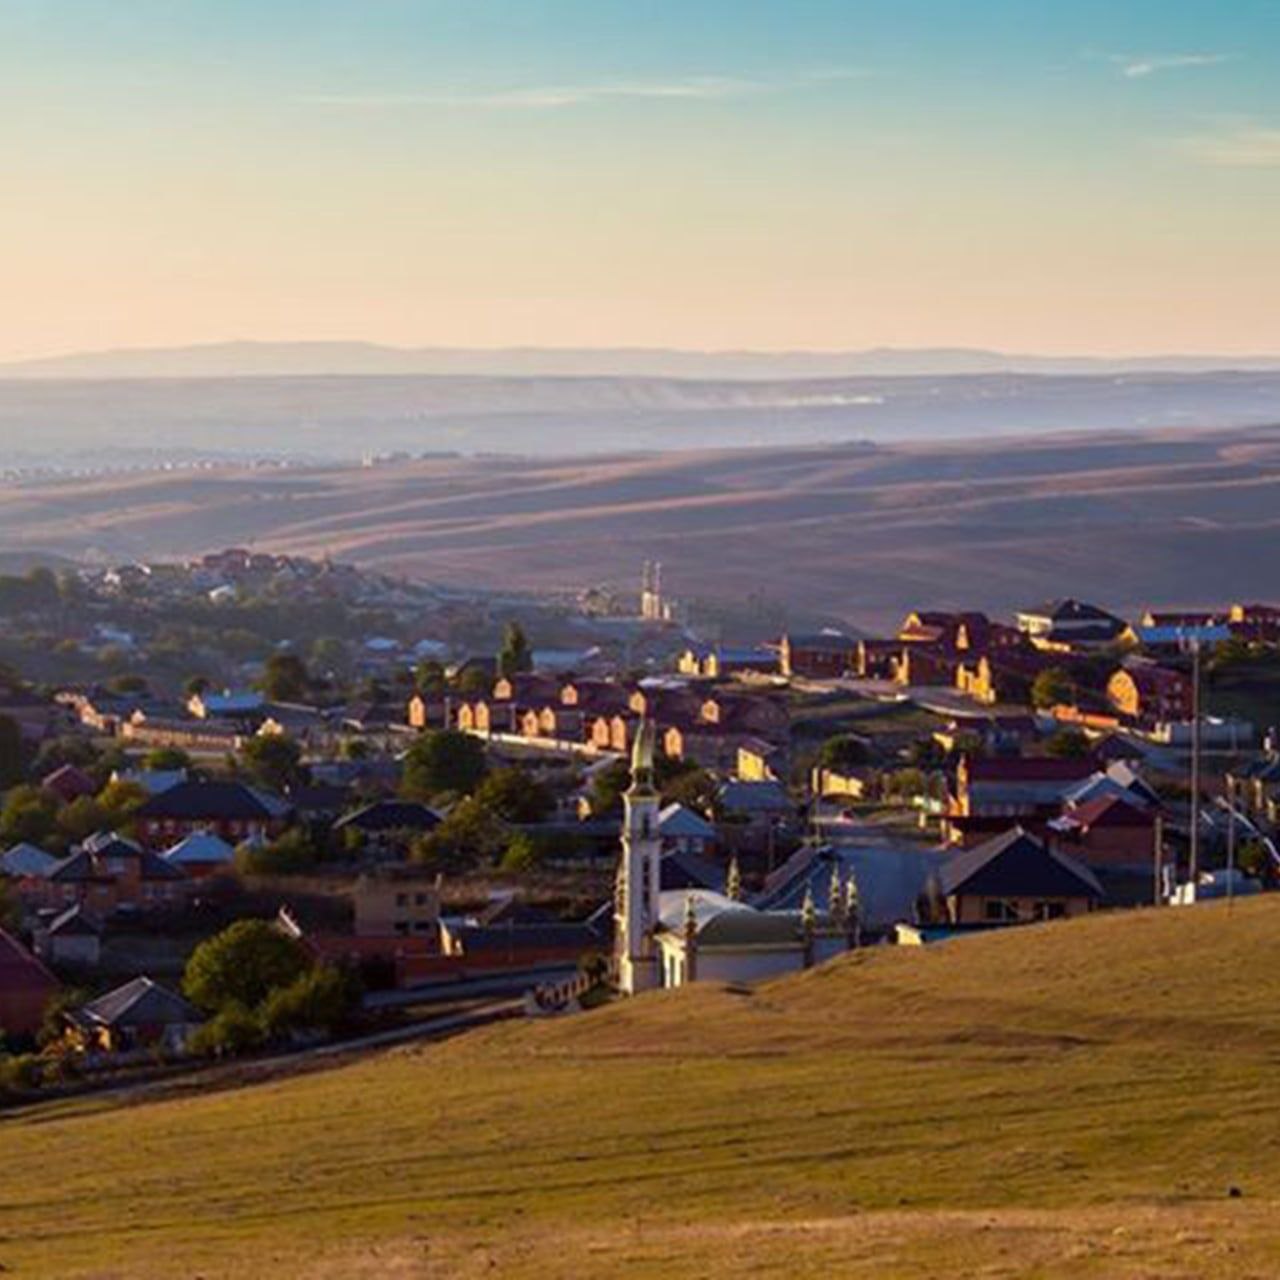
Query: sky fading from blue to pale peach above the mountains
[[1059, 177]]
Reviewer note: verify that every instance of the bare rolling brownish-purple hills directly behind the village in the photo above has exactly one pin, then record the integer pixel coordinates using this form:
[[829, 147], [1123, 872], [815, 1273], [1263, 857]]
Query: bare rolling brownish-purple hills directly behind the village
[[845, 532]]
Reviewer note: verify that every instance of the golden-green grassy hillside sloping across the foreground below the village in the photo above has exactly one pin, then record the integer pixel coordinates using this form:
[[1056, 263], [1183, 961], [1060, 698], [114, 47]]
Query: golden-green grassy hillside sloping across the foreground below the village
[[1069, 1099]]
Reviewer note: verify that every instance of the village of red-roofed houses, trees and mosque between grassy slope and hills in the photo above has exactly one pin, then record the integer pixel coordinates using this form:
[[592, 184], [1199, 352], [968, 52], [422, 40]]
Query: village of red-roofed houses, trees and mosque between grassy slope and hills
[[353, 839]]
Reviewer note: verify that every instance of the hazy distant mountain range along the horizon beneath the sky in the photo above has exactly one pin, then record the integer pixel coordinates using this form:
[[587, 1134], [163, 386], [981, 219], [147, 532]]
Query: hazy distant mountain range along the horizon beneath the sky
[[363, 359]]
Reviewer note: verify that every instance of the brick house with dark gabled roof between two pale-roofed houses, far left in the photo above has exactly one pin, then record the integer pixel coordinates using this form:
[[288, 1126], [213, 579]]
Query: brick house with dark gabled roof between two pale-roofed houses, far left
[[109, 874]]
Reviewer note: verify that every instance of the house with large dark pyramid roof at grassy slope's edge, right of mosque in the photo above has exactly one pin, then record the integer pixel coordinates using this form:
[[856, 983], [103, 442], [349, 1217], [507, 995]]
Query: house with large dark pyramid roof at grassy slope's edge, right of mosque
[[1012, 880]]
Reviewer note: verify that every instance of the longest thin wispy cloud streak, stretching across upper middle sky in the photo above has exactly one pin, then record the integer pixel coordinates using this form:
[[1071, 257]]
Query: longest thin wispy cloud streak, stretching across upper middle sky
[[552, 97]]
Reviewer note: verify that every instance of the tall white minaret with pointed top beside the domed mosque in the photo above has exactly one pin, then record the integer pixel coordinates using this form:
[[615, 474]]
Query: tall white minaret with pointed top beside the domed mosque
[[637, 909]]
